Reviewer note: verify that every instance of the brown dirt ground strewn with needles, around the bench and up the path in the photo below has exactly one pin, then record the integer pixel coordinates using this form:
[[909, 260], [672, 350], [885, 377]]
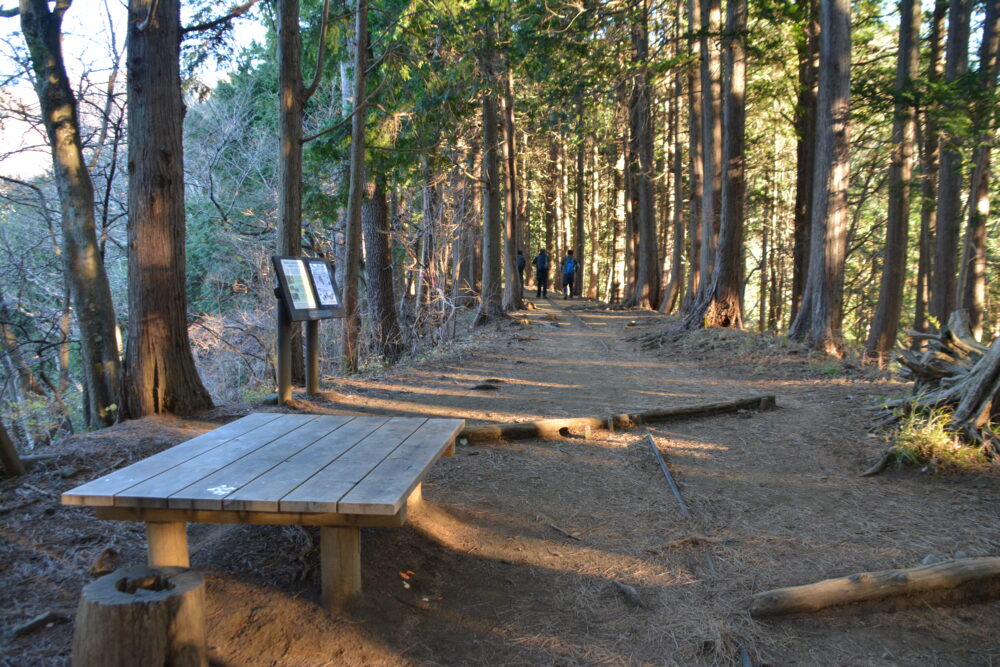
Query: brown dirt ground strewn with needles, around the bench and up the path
[[515, 556]]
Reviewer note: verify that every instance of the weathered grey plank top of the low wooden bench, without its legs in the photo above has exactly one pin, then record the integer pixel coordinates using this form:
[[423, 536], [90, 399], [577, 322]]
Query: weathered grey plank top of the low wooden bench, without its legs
[[283, 463]]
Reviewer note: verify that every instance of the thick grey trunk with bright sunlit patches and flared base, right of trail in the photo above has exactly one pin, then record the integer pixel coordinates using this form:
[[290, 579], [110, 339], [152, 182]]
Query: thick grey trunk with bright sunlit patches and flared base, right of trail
[[820, 316]]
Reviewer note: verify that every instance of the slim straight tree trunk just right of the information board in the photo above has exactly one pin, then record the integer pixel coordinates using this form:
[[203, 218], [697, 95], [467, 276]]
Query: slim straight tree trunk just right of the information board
[[349, 352]]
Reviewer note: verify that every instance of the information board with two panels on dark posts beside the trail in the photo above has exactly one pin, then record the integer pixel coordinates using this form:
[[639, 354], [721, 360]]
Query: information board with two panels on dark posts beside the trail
[[307, 293]]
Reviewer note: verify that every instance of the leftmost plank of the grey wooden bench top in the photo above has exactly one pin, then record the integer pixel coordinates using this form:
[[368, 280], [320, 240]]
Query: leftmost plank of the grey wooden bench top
[[102, 490]]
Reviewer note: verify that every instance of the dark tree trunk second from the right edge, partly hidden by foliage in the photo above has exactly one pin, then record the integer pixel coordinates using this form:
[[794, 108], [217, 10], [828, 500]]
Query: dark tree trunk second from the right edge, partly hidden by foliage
[[948, 227]]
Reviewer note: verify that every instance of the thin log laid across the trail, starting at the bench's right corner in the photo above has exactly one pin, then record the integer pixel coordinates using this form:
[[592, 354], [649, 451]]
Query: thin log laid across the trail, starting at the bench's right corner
[[554, 429]]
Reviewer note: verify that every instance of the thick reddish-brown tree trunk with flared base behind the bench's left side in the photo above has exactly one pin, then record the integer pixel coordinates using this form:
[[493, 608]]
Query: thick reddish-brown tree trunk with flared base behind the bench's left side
[[160, 374]]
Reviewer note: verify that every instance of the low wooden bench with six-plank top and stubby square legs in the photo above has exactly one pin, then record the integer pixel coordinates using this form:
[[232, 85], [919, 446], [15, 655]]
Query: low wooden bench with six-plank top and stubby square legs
[[336, 472]]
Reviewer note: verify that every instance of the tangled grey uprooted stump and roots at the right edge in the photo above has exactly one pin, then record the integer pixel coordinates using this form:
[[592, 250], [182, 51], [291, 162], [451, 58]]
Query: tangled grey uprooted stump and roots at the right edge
[[953, 371]]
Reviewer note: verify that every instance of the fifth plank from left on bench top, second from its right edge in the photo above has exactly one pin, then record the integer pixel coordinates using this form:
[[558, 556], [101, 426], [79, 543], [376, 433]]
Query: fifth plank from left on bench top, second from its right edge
[[322, 491]]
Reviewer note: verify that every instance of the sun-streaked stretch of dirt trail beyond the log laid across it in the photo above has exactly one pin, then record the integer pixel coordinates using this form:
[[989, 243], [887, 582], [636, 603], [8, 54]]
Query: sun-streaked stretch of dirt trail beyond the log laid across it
[[553, 366]]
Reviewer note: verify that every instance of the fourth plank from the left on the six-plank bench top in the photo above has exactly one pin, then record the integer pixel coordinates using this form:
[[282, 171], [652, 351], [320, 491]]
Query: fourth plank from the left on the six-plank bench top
[[264, 493]]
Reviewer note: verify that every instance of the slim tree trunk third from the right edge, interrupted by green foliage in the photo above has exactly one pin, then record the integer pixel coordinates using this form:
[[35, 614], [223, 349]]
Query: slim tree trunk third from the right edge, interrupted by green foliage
[[930, 159]]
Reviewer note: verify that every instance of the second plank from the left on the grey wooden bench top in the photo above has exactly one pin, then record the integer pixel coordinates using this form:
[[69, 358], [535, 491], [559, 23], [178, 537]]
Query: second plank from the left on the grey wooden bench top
[[155, 491]]
